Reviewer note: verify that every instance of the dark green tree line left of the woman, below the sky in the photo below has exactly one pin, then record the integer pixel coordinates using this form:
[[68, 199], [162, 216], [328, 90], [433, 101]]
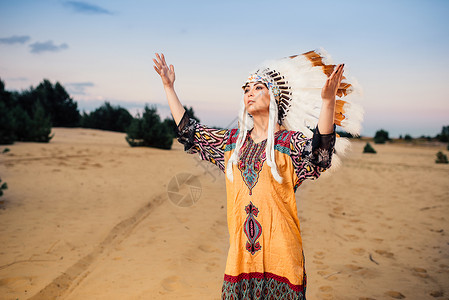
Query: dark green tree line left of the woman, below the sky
[[29, 116]]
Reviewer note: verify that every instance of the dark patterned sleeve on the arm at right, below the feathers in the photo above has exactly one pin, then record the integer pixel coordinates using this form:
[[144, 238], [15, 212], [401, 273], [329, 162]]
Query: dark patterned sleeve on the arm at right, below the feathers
[[312, 156]]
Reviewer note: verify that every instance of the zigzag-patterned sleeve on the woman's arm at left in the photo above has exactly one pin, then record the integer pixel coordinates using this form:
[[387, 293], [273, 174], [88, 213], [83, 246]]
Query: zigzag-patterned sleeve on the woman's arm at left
[[209, 143]]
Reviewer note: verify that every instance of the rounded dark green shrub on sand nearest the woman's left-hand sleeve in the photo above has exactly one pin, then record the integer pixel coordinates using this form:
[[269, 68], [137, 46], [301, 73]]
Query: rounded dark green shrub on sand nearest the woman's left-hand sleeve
[[149, 131]]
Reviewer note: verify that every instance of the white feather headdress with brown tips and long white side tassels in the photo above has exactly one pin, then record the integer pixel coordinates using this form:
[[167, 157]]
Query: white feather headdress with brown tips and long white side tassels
[[295, 85]]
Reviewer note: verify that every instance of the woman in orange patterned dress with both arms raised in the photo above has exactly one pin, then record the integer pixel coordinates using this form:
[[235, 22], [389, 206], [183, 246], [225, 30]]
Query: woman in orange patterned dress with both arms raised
[[264, 164]]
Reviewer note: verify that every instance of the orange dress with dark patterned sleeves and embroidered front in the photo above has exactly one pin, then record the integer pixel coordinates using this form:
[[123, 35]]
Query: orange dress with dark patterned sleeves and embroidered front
[[265, 258]]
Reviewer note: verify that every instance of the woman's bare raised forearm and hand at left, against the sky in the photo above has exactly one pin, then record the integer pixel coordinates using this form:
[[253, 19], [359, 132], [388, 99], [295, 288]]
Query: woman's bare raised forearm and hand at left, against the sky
[[168, 79]]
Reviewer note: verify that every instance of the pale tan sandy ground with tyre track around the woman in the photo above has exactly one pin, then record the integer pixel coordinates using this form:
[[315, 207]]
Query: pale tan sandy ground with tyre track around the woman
[[88, 217]]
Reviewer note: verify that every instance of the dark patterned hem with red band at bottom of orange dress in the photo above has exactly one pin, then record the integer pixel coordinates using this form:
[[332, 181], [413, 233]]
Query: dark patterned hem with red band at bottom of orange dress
[[260, 286]]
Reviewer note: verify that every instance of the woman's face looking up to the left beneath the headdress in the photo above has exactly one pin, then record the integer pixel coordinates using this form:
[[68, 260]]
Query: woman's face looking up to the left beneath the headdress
[[257, 98]]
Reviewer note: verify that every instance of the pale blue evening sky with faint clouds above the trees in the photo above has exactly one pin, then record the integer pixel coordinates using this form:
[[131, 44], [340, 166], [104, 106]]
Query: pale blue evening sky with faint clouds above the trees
[[102, 51]]
